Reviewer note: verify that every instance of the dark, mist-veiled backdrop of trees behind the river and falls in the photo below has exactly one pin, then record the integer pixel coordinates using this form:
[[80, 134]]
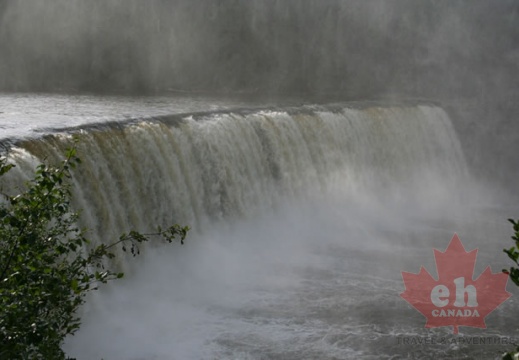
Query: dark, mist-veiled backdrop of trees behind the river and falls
[[355, 47]]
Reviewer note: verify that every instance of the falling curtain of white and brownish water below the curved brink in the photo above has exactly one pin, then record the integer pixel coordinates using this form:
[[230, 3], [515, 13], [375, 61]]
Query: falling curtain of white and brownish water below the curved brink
[[196, 169]]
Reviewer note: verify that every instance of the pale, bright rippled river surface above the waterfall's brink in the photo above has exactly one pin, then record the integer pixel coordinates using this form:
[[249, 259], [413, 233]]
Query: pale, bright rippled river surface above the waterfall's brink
[[29, 114]]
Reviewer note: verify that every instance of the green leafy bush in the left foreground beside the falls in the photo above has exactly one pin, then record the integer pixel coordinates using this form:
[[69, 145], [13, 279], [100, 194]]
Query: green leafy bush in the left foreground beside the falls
[[47, 265]]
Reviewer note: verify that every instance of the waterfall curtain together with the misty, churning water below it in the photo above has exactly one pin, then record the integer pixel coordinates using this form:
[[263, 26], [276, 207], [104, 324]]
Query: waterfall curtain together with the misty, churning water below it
[[302, 217]]
